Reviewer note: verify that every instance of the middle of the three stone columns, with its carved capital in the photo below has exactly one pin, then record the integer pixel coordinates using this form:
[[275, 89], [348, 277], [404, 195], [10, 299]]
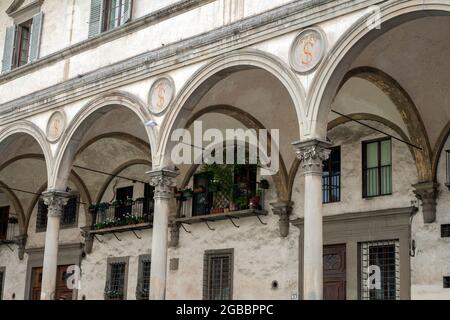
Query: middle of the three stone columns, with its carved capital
[[163, 181]]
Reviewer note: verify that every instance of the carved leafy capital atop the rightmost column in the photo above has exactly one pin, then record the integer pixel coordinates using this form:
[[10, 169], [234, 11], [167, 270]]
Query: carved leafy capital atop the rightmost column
[[311, 154]]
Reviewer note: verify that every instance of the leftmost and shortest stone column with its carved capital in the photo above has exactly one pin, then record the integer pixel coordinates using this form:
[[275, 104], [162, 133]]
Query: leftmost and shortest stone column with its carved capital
[[55, 200]]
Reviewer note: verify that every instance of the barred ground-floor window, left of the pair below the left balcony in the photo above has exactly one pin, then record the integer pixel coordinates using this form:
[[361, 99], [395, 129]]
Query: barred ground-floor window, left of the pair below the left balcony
[[116, 282]]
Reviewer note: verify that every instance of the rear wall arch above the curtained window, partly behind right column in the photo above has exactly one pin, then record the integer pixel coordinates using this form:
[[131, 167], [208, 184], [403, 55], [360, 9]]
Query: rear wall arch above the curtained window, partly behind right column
[[342, 120]]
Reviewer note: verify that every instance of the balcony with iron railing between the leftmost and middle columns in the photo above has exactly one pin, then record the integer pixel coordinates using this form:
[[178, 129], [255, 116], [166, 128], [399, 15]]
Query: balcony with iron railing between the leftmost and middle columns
[[122, 216]]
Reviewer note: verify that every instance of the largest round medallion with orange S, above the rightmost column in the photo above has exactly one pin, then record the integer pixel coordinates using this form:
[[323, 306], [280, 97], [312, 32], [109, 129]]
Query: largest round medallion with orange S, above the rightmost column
[[308, 50]]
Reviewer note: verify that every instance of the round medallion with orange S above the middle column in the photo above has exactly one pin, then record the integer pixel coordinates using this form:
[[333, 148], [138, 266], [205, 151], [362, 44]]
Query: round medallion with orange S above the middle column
[[161, 95]]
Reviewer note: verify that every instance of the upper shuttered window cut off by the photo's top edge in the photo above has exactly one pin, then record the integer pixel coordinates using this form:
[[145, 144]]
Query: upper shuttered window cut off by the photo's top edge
[[108, 14]]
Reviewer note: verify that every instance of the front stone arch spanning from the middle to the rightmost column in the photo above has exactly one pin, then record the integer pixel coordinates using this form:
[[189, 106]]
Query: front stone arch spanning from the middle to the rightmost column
[[210, 74]]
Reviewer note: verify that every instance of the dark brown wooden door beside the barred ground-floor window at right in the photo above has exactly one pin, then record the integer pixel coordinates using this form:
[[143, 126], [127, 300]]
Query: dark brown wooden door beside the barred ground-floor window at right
[[334, 272]]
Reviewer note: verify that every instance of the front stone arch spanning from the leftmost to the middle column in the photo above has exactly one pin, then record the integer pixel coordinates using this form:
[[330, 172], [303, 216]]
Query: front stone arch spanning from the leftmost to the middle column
[[84, 119]]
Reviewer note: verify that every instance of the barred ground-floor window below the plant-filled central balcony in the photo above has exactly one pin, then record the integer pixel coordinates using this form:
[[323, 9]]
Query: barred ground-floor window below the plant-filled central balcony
[[218, 275]]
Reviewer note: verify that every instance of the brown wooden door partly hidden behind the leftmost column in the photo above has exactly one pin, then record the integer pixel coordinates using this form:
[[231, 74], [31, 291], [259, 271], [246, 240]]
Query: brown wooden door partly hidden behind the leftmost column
[[61, 292]]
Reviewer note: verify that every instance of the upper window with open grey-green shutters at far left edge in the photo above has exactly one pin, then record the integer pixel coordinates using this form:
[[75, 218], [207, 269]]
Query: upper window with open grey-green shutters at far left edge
[[22, 42]]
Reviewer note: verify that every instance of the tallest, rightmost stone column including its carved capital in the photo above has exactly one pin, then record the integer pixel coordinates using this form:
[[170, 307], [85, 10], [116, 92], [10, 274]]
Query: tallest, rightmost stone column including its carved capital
[[311, 154]]
